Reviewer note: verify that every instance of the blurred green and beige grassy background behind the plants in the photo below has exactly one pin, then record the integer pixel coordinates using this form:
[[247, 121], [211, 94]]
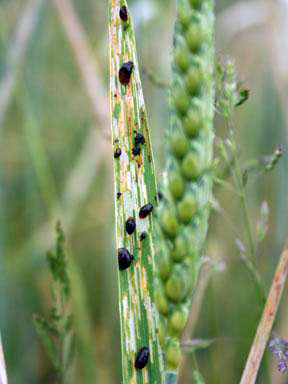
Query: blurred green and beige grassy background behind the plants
[[55, 163]]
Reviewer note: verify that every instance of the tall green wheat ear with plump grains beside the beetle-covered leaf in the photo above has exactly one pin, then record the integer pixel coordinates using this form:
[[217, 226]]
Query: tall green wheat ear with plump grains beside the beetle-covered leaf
[[184, 208]]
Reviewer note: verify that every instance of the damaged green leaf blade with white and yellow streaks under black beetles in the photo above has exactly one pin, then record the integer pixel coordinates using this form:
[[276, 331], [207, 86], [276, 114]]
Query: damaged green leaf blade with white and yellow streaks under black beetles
[[135, 186]]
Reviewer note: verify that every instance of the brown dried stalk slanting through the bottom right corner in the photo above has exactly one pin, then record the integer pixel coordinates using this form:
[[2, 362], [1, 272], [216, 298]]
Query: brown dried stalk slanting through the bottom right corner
[[264, 328]]
